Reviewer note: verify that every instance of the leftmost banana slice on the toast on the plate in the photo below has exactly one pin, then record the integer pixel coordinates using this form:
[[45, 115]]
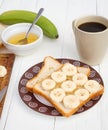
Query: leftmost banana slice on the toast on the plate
[[48, 84]]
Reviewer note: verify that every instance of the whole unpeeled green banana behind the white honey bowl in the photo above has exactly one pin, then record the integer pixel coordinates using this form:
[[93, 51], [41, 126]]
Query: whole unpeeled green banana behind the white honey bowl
[[21, 16]]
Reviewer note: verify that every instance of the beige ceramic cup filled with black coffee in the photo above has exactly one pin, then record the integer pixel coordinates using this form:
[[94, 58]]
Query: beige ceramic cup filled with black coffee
[[91, 46]]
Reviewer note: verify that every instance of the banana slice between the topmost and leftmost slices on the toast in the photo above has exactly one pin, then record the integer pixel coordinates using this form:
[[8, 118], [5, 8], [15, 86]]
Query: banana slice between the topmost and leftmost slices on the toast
[[58, 76]]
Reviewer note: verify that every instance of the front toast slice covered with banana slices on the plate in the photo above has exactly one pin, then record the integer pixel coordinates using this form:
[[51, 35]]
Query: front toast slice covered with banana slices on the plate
[[68, 102]]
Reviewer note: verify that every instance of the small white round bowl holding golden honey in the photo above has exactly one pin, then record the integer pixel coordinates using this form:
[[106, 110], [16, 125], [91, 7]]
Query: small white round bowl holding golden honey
[[14, 33]]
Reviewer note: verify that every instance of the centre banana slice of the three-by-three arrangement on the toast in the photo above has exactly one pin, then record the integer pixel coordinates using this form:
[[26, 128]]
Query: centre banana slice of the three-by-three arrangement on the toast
[[68, 86]]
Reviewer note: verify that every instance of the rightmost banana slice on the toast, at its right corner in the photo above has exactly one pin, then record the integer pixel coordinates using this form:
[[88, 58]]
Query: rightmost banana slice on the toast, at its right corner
[[92, 86]]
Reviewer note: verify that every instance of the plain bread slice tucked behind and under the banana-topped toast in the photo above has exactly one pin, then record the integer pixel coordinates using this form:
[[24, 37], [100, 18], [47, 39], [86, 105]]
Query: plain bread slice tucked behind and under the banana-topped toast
[[50, 65]]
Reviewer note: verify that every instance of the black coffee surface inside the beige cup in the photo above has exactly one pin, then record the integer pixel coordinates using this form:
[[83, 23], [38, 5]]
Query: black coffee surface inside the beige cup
[[92, 27]]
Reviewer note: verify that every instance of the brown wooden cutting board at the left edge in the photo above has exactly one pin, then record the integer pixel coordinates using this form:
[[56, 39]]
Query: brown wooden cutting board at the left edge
[[6, 60]]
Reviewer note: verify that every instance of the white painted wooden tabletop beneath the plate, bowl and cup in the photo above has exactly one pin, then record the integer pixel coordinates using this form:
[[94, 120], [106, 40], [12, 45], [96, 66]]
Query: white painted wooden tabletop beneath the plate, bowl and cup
[[16, 115]]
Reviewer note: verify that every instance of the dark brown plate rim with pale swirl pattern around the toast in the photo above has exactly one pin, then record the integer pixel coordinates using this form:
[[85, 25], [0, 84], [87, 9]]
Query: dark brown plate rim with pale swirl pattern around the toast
[[29, 99]]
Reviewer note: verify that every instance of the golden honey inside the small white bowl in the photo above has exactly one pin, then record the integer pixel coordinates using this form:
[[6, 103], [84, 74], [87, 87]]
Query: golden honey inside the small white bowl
[[15, 38]]
